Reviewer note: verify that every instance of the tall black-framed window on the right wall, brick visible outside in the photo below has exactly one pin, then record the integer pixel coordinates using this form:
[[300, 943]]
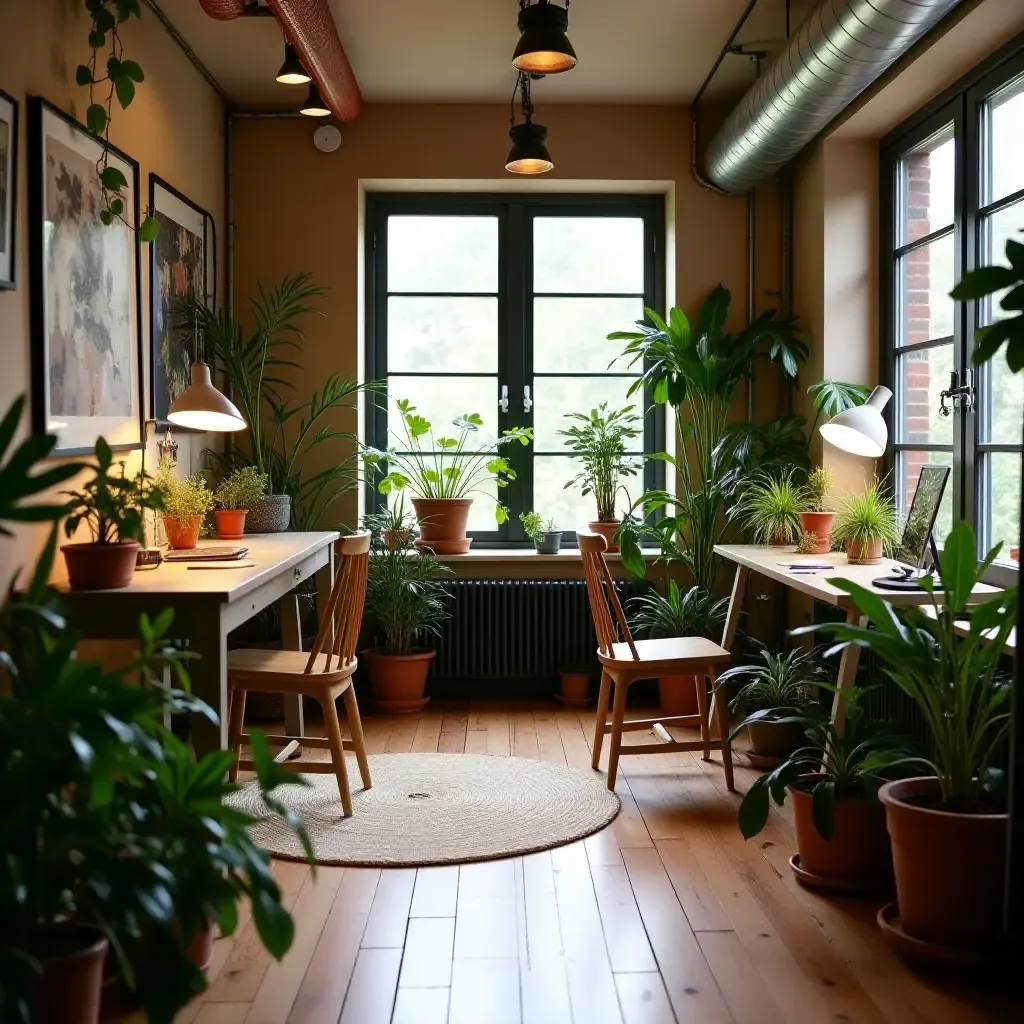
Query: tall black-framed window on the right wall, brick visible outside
[[954, 191]]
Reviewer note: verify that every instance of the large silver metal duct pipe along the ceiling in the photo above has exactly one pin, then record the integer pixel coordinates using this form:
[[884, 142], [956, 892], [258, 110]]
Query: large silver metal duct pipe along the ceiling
[[838, 52]]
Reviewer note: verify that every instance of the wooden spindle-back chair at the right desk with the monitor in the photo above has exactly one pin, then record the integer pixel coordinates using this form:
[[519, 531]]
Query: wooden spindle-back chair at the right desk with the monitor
[[628, 661]]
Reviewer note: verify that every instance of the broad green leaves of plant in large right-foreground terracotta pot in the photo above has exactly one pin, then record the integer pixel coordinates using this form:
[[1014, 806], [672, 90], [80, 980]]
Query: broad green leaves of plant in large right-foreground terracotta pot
[[952, 679]]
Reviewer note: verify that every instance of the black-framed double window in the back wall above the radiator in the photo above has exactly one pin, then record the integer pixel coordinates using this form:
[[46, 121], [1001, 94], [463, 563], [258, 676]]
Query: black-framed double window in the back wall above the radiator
[[501, 307]]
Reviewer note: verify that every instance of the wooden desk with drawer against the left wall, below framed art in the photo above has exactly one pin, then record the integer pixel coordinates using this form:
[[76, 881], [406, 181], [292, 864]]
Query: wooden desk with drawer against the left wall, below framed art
[[209, 604]]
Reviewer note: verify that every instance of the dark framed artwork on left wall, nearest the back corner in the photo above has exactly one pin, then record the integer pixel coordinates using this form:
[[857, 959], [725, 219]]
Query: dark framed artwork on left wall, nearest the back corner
[[179, 272]]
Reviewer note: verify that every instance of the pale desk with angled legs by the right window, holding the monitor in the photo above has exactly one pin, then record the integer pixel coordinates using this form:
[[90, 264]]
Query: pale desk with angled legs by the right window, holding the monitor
[[754, 559]]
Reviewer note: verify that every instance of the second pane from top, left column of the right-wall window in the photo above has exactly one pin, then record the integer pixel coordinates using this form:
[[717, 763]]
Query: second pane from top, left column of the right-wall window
[[926, 279]]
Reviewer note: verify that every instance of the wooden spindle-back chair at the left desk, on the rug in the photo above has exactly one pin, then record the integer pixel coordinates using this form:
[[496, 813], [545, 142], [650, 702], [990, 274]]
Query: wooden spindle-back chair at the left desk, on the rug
[[325, 674]]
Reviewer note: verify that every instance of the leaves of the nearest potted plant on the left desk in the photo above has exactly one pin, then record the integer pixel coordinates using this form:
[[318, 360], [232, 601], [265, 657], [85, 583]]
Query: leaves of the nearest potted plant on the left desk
[[113, 503]]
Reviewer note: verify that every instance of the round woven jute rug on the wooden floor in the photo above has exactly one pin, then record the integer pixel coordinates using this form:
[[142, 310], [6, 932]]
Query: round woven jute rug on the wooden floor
[[438, 809]]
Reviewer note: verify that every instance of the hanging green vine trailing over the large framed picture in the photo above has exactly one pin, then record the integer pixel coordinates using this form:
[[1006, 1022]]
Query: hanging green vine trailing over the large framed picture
[[115, 78]]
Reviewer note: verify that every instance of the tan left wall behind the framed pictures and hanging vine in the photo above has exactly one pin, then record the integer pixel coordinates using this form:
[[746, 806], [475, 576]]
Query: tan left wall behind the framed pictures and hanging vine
[[175, 130]]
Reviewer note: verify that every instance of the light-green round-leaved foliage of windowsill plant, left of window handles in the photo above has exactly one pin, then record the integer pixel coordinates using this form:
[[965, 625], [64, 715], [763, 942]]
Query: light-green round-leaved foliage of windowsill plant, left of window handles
[[445, 467]]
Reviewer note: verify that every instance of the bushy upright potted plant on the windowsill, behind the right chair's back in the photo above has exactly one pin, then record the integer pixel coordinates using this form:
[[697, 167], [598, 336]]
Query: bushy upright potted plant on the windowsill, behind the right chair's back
[[600, 441]]
